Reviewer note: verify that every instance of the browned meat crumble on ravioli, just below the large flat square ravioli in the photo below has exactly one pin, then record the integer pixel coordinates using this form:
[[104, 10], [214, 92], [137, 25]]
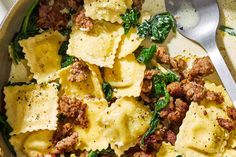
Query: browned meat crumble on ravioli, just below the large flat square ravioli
[[79, 71]]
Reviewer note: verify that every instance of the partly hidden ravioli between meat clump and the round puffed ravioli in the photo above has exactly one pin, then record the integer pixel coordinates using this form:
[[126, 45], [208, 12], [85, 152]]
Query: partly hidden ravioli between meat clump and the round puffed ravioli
[[92, 137]]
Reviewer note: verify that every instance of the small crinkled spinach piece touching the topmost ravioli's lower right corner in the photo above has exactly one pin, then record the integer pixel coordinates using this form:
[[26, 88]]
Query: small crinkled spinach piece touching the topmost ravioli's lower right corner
[[130, 19]]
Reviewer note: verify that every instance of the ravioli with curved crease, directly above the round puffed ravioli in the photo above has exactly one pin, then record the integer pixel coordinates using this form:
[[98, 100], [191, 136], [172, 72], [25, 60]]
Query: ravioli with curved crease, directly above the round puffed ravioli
[[126, 76]]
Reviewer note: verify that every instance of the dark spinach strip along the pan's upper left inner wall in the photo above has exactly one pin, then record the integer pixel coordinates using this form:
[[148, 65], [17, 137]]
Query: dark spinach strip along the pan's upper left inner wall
[[29, 28]]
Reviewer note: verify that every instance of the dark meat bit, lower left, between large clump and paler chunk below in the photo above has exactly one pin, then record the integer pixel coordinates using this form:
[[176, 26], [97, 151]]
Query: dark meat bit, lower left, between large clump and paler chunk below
[[62, 132]]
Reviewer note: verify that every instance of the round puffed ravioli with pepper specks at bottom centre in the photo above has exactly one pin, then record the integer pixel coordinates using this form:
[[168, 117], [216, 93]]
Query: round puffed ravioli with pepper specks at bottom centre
[[124, 122]]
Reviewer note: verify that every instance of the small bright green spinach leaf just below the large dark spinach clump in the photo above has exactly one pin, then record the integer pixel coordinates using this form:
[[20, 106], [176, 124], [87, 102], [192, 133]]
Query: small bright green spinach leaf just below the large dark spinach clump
[[147, 54]]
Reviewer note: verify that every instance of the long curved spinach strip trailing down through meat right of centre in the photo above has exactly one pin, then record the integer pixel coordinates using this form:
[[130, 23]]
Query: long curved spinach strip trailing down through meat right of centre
[[159, 85]]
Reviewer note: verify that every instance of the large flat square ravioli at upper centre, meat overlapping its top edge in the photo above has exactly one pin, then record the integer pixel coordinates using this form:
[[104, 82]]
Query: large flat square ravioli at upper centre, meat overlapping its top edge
[[97, 46]]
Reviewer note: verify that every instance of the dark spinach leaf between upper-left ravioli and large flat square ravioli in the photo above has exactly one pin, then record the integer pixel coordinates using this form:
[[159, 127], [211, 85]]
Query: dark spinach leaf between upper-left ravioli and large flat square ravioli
[[66, 59]]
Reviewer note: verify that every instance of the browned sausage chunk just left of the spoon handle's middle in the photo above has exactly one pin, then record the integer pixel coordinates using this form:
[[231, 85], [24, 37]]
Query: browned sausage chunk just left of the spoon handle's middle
[[201, 67]]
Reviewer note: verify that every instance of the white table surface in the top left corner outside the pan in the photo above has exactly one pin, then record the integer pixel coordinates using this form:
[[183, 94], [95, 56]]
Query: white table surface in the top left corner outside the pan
[[5, 5]]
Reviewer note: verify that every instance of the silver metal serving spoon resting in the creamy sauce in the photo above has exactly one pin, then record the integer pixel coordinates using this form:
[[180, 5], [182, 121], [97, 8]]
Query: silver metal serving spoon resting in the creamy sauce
[[203, 31]]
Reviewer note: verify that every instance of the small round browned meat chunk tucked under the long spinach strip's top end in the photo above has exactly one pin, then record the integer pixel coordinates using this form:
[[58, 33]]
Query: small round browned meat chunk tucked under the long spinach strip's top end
[[175, 89]]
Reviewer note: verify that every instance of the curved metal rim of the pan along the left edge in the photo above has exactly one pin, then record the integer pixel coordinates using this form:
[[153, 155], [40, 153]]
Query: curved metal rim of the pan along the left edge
[[9, 27]]
